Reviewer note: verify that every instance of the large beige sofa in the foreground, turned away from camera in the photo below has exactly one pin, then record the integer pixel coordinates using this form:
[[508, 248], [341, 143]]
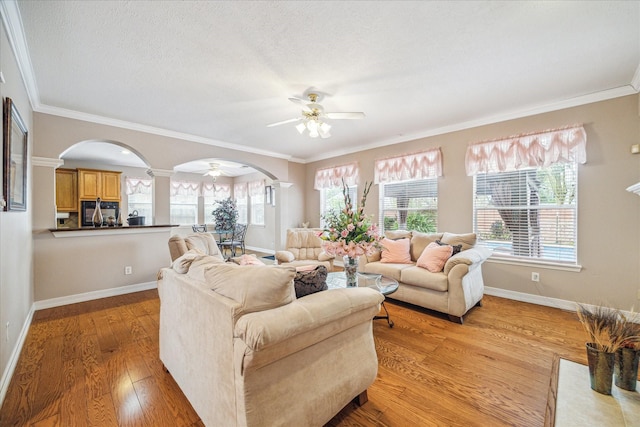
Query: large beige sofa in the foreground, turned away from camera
[[246, 352]]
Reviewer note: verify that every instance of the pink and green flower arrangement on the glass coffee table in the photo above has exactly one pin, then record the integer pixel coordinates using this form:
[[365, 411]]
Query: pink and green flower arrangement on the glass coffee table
[[350, 232]]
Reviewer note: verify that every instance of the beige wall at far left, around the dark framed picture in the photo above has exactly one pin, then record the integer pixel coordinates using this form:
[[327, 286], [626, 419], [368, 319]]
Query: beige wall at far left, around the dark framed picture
[[16, 283]]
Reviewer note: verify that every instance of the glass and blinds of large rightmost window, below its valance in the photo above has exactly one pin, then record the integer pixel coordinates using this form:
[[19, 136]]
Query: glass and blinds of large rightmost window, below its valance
[[528, 213]]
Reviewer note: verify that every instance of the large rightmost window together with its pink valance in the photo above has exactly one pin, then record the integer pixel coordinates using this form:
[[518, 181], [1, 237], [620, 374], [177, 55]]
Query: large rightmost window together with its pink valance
[[525, 194]]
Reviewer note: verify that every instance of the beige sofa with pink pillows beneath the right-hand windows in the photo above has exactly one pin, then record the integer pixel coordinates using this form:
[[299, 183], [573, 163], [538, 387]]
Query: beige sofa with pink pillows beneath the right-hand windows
[[452, 291]]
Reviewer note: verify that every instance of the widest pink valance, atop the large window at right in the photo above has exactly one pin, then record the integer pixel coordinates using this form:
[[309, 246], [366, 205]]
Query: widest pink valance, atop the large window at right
[[539, 149]]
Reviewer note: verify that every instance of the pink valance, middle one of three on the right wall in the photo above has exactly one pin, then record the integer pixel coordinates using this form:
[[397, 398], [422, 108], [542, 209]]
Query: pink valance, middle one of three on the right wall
[[427, 164]]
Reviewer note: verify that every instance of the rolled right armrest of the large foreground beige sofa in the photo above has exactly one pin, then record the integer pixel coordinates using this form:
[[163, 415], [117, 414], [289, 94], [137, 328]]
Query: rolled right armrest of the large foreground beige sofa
[[342, 307]]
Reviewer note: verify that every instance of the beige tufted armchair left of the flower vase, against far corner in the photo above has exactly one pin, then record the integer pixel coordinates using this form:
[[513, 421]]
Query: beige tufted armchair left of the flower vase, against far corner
[[304, 247]]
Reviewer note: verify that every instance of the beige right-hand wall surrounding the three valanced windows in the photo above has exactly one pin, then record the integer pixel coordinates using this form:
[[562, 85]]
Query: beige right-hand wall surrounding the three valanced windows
[[608, 216]]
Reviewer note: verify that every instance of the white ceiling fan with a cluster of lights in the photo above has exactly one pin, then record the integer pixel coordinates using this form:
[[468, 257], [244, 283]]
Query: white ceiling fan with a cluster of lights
[[313, 115]]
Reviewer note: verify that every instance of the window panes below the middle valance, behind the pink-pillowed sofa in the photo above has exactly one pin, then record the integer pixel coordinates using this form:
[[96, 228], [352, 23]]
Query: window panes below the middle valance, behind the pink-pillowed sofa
[[409, 205]]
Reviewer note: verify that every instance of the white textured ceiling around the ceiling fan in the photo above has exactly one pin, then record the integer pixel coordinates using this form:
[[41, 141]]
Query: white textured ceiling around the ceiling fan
[[219, 72]]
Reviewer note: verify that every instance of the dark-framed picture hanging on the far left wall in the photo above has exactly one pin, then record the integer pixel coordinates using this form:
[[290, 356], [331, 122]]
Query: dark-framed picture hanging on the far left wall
[[14, 168]]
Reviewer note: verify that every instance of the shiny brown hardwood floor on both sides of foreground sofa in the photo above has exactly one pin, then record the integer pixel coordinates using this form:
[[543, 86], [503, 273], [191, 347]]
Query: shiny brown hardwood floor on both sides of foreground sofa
[[96, 363]]
